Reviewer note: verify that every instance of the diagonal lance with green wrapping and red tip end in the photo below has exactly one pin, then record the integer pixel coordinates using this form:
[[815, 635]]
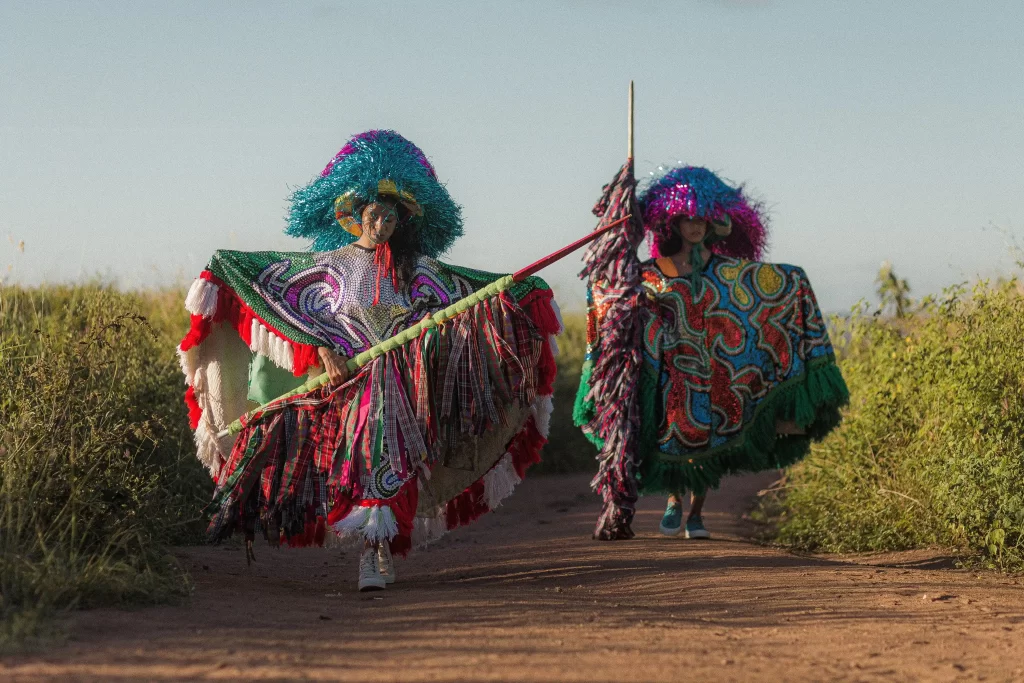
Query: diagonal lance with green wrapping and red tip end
[[414, 332]]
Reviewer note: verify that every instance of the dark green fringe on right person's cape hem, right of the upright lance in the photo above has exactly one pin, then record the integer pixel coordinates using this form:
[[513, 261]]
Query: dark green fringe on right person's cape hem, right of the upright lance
[[813, 401]]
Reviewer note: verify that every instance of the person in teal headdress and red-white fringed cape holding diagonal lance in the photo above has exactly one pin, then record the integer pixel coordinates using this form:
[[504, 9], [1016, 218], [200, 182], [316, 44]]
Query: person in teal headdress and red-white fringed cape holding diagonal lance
[[428, 437]]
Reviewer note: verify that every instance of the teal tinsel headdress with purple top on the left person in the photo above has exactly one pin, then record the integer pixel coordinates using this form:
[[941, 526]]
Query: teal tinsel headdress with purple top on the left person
[[377, 163]]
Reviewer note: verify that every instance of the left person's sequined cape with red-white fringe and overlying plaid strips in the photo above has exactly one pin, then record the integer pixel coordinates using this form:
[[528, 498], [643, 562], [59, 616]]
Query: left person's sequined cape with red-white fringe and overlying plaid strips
[[467, 403]]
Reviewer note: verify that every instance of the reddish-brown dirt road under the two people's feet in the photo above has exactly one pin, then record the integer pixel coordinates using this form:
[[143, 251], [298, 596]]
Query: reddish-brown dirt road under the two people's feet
[[526, 595]]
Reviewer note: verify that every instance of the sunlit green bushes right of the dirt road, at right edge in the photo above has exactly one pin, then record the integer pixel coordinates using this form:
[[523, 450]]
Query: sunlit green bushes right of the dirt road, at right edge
[[930, 451]]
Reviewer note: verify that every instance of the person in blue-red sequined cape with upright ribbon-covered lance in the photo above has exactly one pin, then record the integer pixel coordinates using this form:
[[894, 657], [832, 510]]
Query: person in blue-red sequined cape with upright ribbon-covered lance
[[702, 362]]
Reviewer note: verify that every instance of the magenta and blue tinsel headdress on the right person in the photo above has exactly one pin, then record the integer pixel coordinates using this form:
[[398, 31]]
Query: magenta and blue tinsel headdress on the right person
[[697, 193]]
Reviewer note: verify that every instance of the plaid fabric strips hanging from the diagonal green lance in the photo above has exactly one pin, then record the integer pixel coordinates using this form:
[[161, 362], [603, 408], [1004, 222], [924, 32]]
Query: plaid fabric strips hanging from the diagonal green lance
[[294, 468]]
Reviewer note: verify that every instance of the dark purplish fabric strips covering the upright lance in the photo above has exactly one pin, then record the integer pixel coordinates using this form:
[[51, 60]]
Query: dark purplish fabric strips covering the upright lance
[[614, 270]]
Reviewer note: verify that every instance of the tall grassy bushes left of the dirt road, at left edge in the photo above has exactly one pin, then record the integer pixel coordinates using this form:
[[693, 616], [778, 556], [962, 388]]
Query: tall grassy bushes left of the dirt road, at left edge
[[97, 468]]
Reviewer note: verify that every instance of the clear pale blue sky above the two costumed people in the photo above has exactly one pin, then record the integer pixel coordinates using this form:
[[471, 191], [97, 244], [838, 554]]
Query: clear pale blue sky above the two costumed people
[[137, 139]]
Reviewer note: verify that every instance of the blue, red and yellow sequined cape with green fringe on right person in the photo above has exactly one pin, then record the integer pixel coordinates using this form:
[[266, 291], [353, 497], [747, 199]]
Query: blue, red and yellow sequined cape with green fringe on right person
[[721, 365]]
